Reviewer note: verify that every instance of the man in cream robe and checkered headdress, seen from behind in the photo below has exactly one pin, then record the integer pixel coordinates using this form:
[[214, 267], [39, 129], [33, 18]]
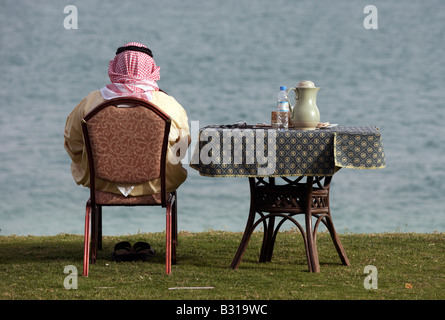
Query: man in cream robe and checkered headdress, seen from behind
[[133, 73]]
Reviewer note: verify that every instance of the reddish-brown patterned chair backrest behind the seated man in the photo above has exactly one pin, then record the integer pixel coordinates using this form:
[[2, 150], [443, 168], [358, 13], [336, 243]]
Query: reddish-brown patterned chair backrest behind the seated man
[[126, 141]]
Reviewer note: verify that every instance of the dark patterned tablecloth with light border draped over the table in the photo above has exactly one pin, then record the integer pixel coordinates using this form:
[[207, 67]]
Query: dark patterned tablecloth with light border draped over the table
[[261, 152]]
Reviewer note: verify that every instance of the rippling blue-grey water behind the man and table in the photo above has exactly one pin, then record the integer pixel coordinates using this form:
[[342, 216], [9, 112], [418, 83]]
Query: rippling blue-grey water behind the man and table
[[224, 61]]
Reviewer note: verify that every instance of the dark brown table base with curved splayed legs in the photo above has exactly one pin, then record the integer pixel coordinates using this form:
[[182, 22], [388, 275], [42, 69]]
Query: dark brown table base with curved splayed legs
[[310, 198]]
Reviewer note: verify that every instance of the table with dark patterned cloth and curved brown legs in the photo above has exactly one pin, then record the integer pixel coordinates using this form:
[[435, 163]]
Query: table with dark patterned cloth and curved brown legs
[[304, 161]]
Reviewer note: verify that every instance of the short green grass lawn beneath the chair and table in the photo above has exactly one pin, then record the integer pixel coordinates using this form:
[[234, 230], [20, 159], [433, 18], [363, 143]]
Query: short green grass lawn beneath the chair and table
[[410, 266]]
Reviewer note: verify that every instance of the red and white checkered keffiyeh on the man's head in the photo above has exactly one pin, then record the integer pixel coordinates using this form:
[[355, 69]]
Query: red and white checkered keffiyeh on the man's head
[[132, 73]]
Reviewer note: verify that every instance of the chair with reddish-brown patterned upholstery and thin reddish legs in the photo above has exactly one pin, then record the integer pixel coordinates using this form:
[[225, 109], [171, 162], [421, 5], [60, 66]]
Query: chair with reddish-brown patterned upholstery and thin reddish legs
[[126, 141]]
